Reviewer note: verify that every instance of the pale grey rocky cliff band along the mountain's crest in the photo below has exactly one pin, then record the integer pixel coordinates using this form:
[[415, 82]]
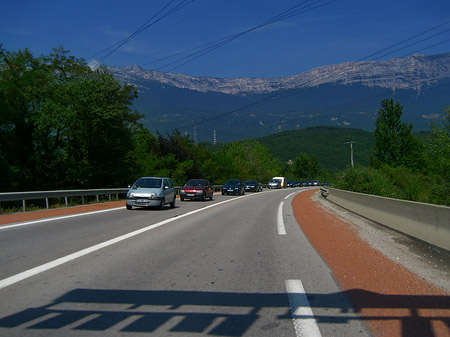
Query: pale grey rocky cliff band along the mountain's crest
[[412, 72]]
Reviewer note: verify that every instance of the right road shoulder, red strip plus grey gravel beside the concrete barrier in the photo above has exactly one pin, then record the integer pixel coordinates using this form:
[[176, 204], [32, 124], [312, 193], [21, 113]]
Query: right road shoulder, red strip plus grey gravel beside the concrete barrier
[[395, 291]]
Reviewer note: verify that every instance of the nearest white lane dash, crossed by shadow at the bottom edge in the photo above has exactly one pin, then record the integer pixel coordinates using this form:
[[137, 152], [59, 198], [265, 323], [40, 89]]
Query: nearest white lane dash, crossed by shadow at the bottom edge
[[302, 315]]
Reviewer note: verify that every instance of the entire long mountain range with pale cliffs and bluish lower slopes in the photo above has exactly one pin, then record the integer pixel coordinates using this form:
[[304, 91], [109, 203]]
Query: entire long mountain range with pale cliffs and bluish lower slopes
[[347, 94]]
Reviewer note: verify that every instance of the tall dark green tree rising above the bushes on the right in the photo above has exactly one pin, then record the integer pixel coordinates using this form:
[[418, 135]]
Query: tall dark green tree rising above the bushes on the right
[[395, 145]]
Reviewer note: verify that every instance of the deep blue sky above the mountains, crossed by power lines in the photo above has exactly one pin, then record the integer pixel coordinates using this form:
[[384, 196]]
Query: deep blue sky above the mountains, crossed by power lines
[[334, 32]]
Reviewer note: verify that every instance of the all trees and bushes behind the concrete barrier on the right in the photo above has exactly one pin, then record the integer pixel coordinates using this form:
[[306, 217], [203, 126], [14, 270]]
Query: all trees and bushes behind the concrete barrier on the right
[[402, 168]]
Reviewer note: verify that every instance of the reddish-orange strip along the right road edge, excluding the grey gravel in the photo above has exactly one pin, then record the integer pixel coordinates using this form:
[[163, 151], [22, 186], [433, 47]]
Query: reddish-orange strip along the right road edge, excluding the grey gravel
[[392, 300]]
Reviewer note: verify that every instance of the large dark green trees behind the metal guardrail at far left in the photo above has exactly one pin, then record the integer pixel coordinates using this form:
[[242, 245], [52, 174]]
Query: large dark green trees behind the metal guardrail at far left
[[65, 125]]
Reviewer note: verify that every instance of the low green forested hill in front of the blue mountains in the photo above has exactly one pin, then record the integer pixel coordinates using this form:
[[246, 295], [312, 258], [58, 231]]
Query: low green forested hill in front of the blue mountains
[[328, 143]]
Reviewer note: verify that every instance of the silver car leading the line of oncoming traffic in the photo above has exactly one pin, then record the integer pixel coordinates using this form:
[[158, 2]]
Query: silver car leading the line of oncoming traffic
[[151, 192]]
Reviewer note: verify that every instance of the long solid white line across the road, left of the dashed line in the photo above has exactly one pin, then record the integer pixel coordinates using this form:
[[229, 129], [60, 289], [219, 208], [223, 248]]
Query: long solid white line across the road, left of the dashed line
[[47, 266]]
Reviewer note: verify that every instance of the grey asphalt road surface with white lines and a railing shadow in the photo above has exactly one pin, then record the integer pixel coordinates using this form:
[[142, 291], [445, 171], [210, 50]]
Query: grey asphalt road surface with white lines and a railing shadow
[[234, 266]]
